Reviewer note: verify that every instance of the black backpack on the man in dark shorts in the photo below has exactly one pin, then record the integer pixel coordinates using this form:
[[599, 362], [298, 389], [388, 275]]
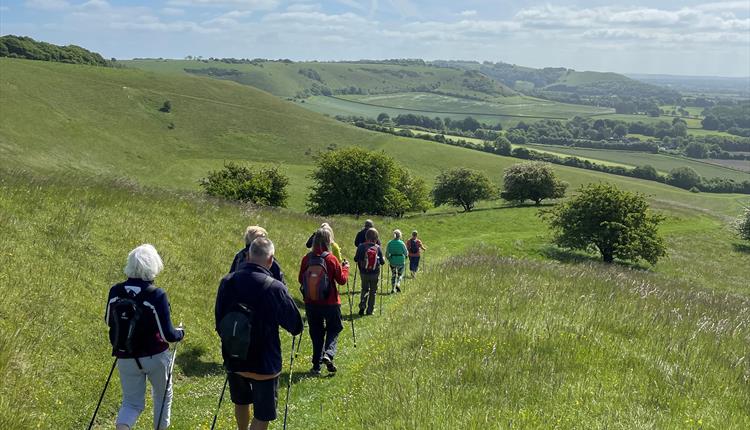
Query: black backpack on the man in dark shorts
[[236, 331]]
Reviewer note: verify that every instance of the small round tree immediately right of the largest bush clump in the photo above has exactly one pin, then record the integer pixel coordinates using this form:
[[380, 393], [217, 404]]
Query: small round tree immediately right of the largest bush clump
[[462, 187]]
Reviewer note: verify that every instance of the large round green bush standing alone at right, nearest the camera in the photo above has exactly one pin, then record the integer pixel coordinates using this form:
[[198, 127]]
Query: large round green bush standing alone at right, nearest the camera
[[619, 224]]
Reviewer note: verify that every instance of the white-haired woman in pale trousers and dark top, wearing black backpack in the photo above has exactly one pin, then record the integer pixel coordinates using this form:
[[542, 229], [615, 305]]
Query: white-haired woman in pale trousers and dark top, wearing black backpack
[[138, 314]]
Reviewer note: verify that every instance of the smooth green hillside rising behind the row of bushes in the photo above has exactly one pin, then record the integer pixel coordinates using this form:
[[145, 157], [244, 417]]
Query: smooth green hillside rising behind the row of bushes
[[65, 118]]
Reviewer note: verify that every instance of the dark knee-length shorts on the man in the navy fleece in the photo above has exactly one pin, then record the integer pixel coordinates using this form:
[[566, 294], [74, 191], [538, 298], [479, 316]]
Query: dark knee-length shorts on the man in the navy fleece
[[263, 395]]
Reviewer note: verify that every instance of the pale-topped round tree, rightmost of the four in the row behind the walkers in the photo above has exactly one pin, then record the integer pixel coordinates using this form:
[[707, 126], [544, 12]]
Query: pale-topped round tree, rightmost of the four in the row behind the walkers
[[533, 181]]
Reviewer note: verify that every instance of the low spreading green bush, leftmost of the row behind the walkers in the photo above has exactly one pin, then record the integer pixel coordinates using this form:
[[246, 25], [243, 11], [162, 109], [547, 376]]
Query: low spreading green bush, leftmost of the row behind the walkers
[[265, 187]]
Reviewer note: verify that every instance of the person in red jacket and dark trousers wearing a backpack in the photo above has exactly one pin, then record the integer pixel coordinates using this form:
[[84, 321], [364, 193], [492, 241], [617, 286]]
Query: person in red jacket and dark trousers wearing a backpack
[[321, 267]]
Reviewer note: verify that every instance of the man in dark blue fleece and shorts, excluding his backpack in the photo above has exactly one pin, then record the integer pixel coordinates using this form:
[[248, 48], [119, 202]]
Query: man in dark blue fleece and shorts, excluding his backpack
[[255, 380]]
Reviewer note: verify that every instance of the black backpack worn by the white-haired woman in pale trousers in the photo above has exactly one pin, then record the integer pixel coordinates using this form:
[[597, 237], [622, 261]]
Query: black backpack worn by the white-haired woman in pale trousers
[[129, 323]]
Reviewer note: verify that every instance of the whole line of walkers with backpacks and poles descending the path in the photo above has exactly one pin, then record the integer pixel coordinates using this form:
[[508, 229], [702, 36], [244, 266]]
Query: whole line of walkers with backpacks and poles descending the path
[[252, 303]]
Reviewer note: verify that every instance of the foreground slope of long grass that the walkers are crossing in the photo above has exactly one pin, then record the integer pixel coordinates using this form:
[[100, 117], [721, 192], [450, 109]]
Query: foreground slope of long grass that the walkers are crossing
[[479, 341]]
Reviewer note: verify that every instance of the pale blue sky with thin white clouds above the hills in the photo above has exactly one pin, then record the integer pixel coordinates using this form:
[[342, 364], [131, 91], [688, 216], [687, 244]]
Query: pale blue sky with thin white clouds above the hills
[[662, 37]]
